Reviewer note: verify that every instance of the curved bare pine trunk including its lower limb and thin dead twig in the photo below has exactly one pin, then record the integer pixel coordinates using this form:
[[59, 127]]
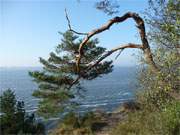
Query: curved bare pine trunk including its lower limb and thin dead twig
[[145, 47]]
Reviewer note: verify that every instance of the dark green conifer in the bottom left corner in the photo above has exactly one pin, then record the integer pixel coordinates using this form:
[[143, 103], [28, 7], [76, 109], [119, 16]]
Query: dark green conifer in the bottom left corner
[[14, 119]]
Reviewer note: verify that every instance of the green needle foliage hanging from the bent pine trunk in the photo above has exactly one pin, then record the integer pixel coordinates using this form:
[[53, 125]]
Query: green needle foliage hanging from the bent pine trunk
[[59, 73]]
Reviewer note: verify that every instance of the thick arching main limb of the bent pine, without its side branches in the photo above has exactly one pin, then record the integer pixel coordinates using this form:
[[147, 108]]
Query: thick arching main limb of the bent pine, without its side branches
[[140, 25]]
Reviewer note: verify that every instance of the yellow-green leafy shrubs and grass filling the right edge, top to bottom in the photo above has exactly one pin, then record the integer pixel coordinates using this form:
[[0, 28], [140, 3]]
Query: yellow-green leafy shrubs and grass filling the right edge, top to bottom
[[159, 92]]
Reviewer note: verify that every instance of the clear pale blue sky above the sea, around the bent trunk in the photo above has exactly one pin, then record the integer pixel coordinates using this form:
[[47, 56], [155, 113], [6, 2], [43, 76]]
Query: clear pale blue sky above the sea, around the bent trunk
[[29, 28]]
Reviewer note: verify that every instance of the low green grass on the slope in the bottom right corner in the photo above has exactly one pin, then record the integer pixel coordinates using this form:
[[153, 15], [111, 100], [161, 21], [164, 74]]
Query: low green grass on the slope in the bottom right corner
[[151, 122]]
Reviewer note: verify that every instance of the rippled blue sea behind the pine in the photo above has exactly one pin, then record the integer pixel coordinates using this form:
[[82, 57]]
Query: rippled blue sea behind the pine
[[106, 92]]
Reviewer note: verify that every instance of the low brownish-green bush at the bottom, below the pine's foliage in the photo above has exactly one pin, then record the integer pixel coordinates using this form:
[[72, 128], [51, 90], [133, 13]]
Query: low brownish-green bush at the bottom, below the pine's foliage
[[73, 124]]
